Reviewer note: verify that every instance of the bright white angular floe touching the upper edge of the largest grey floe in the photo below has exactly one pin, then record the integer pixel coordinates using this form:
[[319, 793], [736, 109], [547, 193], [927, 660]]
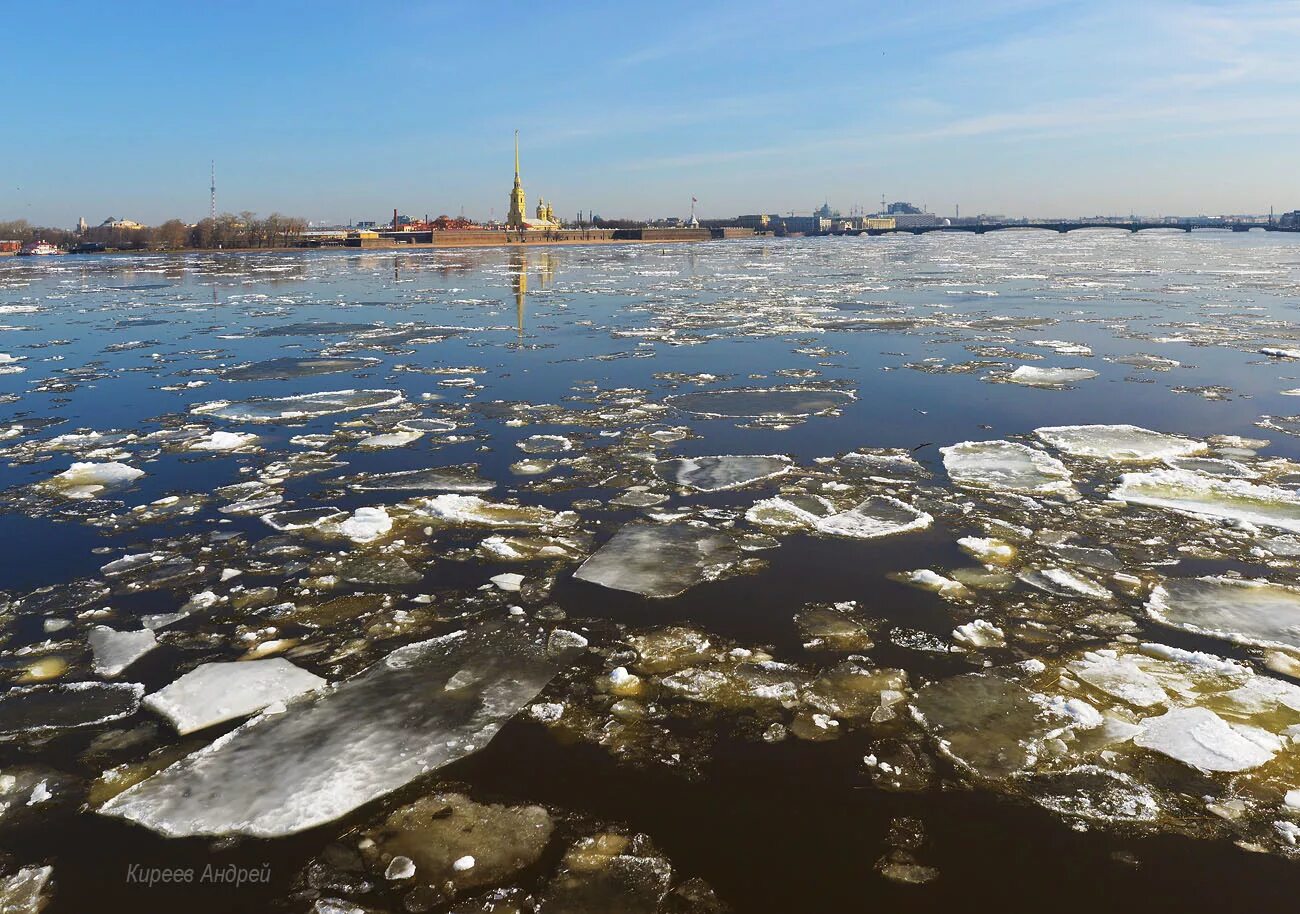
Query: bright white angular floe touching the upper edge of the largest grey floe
[[214, 694]]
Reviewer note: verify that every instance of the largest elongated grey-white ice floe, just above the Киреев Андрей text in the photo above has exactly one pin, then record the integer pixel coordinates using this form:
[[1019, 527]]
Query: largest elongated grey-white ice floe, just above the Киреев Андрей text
[[422, 708]]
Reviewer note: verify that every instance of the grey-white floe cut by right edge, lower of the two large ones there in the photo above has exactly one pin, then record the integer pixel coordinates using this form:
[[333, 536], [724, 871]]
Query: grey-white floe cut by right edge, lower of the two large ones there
[[1255, 613]]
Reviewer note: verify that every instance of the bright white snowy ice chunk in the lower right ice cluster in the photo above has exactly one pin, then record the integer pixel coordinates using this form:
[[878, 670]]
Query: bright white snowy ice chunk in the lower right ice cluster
[[1202, 739]]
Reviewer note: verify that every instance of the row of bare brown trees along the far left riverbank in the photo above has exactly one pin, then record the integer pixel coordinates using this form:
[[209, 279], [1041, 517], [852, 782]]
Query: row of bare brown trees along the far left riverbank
[[227, 231]]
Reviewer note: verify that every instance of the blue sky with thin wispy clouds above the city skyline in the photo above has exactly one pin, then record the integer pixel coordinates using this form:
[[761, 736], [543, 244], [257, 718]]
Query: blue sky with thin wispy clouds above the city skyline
[[343, 111]]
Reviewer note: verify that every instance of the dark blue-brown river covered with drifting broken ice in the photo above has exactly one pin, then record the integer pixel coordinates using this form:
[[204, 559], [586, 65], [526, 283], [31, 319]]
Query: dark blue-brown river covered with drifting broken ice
[[655, 579]]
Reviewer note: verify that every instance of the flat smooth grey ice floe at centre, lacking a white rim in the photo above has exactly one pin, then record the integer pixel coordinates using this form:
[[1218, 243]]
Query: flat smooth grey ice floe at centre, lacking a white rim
[[660, 560]]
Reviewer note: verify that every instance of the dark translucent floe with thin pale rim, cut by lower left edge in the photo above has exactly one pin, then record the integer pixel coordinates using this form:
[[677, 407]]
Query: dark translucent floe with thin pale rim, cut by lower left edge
[[42, 709]]
